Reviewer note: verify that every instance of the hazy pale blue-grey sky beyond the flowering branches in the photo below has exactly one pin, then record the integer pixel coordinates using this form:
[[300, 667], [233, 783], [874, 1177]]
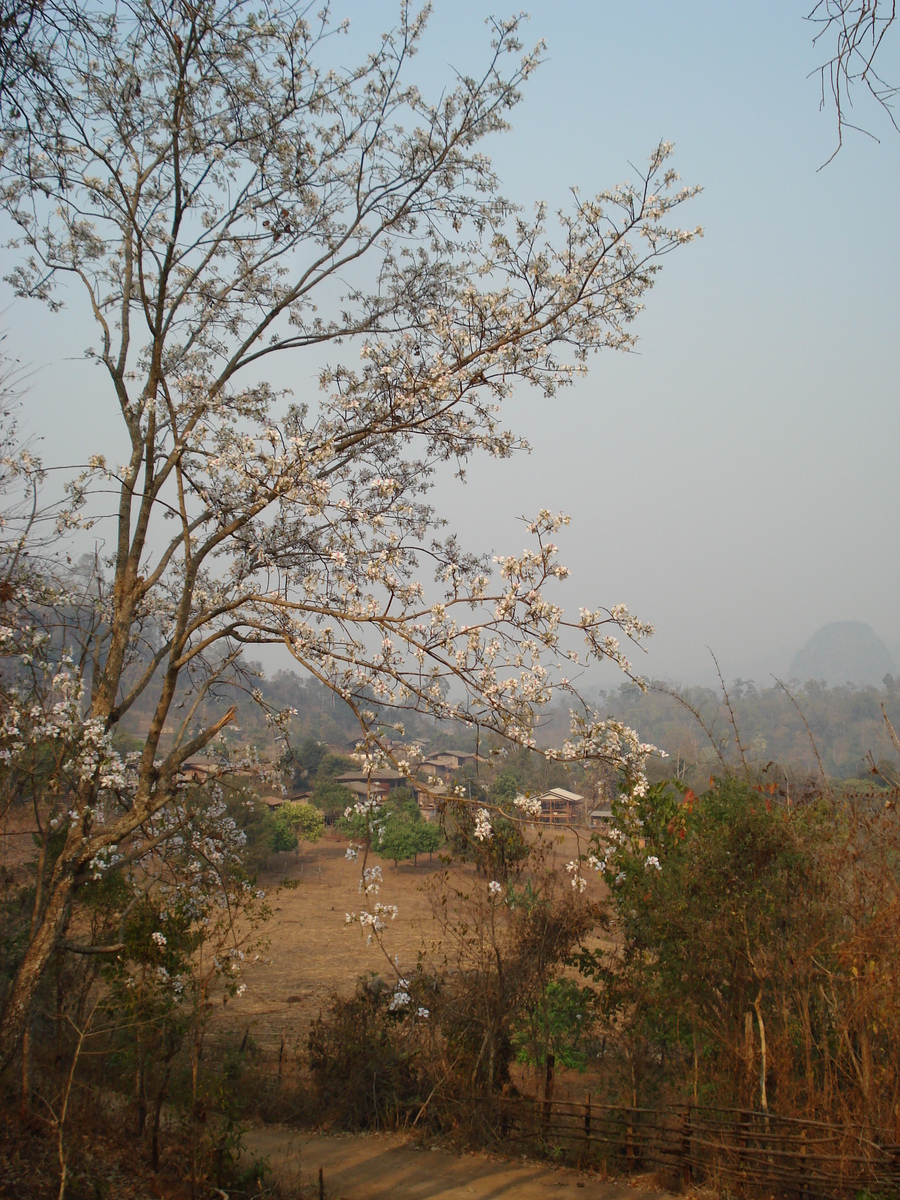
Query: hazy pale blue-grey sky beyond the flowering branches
[[735, 481]]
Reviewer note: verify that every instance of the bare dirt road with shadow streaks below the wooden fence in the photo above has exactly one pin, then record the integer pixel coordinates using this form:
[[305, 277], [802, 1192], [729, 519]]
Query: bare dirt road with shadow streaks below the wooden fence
[[383, 1167]]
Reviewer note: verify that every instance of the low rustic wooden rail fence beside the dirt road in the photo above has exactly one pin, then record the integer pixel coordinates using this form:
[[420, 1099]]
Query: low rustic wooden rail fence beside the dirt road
[[745, 1150]]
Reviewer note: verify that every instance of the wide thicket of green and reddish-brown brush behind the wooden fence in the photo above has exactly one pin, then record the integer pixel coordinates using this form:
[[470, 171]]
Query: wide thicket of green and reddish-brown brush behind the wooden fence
[[751, 964]]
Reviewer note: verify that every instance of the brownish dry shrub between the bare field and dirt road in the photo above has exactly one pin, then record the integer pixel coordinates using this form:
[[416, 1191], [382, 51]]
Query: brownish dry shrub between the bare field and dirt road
[[437, 1046]]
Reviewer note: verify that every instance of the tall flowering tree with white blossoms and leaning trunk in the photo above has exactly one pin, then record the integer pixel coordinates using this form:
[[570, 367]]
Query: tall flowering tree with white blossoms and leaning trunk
[[217, 197]]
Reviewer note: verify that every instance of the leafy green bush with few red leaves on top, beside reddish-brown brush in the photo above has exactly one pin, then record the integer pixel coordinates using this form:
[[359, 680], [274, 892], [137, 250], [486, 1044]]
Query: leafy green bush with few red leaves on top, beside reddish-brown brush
[[700, 929]]
